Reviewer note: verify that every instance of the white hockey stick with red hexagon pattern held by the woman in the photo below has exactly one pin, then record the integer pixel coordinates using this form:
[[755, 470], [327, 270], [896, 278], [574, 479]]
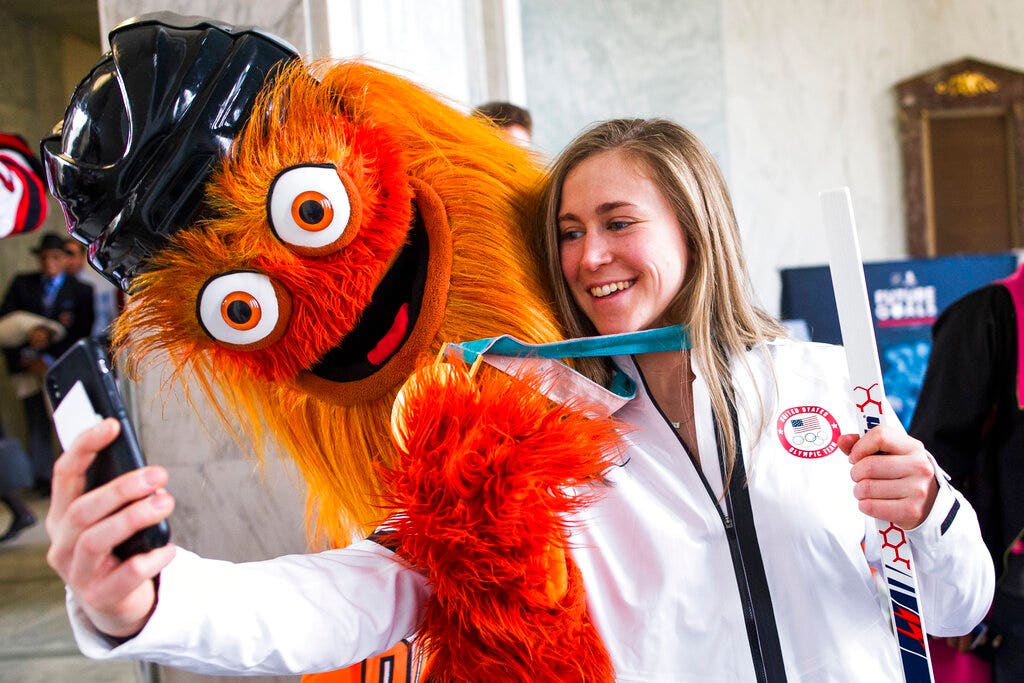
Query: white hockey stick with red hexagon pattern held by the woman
[[868, 394]]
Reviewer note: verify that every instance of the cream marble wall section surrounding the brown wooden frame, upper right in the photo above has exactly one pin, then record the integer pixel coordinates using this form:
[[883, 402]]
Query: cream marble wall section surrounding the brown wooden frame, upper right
[[810, 105]]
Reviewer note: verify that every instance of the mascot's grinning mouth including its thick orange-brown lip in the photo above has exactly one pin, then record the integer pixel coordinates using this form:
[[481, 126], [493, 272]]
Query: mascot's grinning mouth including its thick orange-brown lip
[[403, 319]]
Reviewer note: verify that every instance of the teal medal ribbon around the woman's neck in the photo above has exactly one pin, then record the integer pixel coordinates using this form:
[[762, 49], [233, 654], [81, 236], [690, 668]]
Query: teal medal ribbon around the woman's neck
[[672, 338]]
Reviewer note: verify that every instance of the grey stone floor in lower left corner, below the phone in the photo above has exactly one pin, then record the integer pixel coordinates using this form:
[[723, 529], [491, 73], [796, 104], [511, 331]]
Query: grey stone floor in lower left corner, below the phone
[[36, 645]]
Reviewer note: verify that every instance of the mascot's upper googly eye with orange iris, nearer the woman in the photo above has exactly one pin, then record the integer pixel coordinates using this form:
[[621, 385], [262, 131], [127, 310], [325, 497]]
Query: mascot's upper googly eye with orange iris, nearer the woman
[[314, 209]]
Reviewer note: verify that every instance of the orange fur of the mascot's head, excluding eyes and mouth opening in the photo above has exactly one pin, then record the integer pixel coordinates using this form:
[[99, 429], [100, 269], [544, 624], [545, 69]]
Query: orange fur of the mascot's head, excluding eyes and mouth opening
[[394, 142]]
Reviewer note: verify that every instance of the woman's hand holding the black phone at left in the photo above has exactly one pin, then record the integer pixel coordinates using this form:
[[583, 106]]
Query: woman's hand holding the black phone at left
[[84, 528]]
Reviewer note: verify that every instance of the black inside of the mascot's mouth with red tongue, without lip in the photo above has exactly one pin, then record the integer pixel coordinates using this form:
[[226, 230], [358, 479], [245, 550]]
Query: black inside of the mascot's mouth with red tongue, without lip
[[390, 318]]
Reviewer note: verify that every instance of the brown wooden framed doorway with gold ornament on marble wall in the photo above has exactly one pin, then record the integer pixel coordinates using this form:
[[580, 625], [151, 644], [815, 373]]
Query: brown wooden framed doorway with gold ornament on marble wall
[[962, 134]]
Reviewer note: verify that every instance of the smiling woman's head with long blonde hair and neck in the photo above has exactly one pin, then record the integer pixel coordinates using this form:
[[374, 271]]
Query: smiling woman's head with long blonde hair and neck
[[650, 199]]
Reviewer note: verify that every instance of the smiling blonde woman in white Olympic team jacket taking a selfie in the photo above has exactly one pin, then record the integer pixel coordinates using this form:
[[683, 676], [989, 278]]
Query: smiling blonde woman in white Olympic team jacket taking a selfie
[[734, 543]]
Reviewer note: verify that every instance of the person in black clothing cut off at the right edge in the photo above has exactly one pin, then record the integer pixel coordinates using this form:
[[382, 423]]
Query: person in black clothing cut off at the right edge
[[971, 416]]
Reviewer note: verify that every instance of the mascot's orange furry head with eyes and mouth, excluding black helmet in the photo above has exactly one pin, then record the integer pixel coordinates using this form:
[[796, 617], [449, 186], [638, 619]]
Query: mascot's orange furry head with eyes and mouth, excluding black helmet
[[434, 249]]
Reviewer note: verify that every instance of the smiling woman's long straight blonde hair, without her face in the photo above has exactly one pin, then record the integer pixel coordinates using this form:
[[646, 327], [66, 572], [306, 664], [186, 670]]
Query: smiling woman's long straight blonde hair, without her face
[[714, 302]]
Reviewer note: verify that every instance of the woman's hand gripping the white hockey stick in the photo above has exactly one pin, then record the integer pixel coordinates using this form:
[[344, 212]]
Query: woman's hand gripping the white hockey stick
[[895, 481]]
